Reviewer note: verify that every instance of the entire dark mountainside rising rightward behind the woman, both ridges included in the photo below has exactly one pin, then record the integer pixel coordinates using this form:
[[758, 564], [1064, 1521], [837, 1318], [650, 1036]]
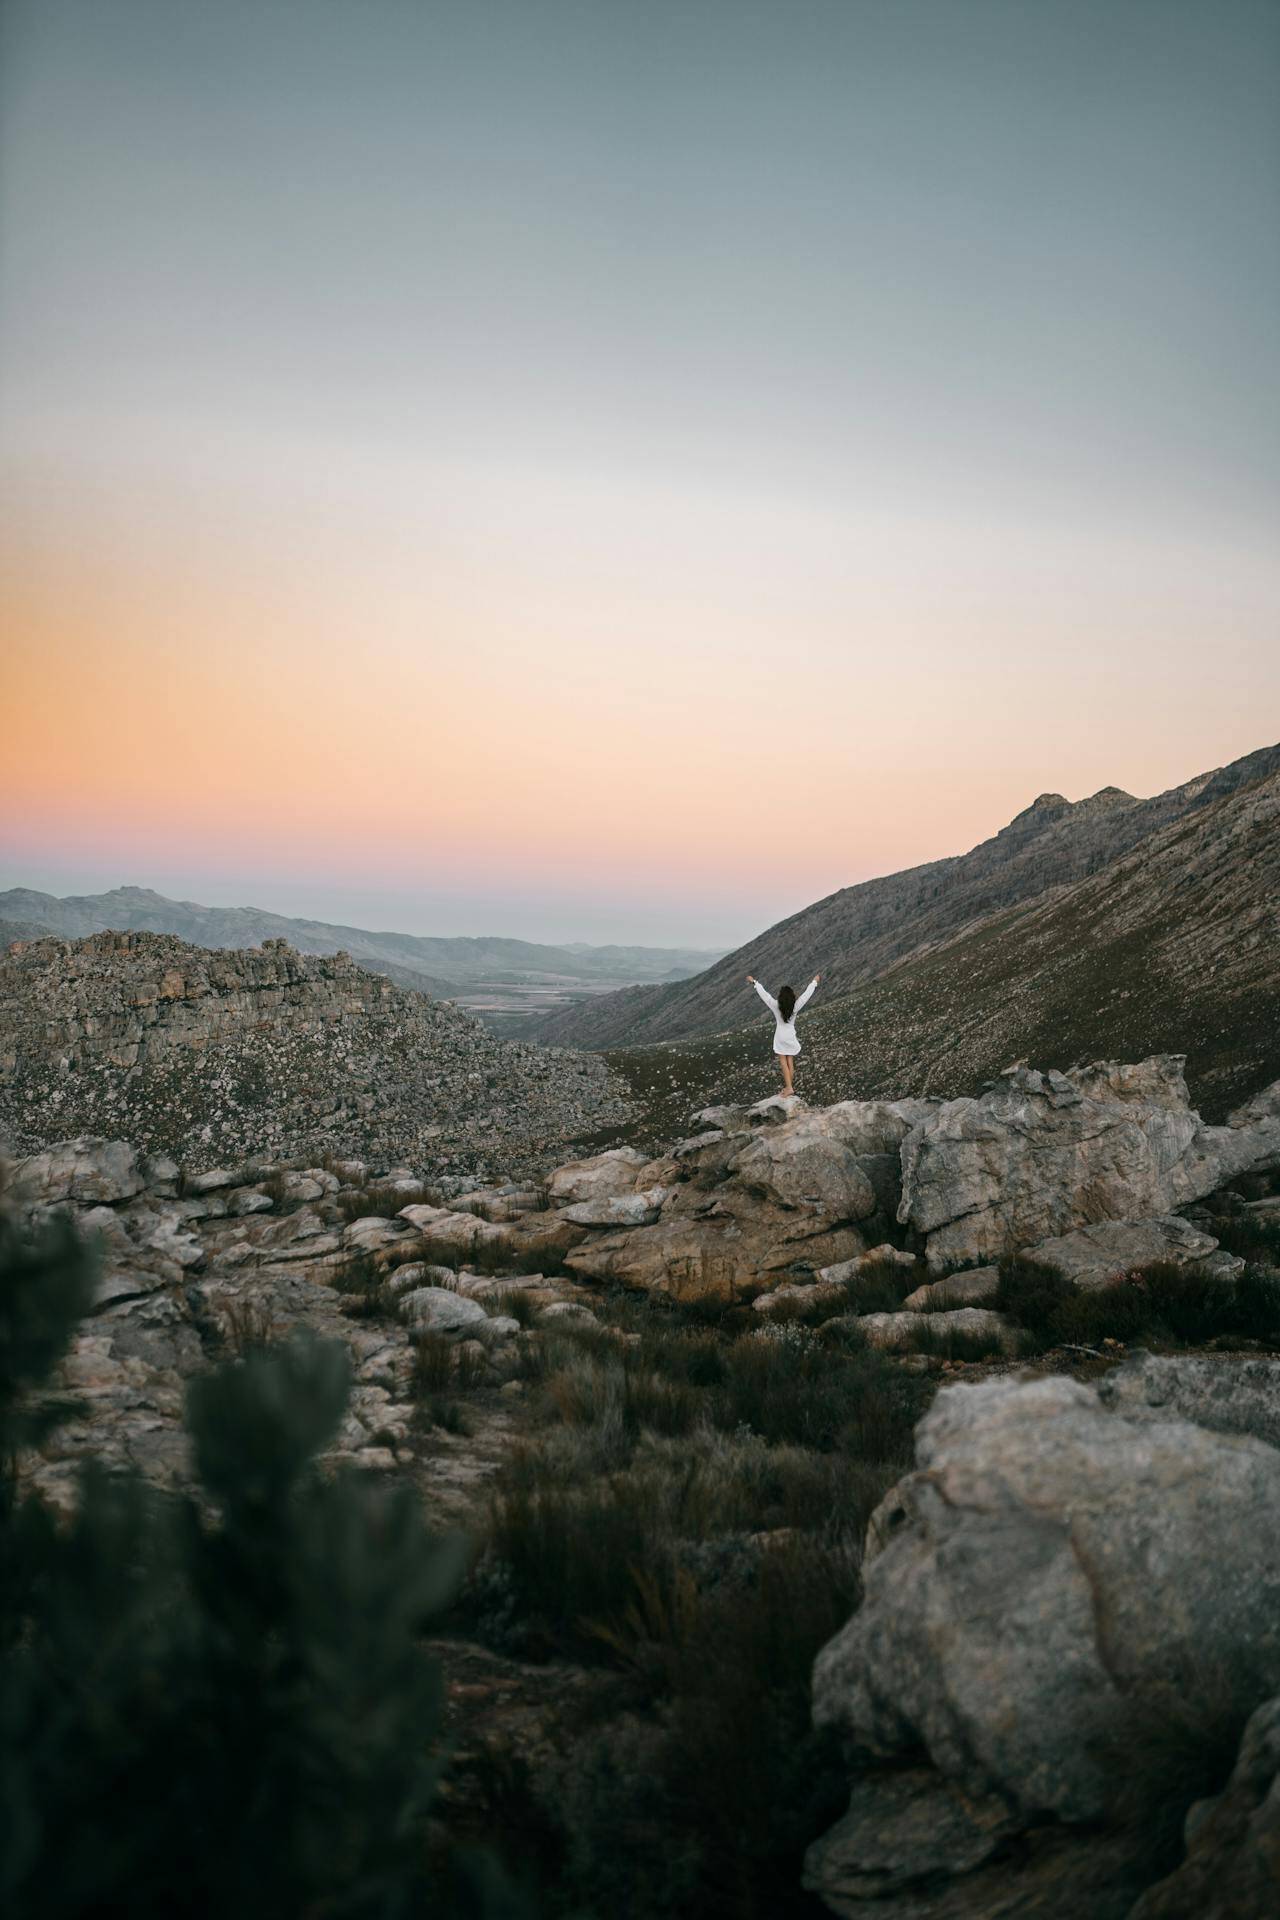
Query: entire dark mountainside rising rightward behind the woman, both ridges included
[[1110, 926]]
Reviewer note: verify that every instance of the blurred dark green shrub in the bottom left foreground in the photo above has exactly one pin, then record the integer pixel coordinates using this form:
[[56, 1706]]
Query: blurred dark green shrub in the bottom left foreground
[[224, 1696]]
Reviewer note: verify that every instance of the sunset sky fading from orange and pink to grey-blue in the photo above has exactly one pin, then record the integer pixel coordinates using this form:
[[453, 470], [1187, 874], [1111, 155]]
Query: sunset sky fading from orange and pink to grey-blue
[[623, 469]]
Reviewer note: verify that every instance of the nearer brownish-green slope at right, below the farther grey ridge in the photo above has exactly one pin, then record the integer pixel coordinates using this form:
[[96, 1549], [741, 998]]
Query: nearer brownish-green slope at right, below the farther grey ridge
[[1175, 948]]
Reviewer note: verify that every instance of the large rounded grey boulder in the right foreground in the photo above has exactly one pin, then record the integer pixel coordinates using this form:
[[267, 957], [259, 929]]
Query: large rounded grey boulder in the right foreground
[[1047, 1572]]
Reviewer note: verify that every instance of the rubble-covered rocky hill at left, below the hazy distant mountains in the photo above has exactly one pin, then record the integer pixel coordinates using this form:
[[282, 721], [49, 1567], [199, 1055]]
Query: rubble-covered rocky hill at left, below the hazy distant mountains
[[222, 1053]]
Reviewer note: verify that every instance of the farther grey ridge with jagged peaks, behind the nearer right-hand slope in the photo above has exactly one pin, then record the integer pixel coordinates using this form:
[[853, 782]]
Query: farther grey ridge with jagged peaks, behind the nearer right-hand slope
[[861, 932]]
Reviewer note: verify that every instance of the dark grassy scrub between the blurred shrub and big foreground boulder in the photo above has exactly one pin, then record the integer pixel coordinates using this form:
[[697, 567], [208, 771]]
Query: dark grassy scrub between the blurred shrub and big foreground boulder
[[688, 1510]]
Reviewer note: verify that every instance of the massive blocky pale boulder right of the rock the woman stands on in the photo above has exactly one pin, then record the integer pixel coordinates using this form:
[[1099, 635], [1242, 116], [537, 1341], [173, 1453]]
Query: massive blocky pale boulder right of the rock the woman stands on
[[1041, 1155]]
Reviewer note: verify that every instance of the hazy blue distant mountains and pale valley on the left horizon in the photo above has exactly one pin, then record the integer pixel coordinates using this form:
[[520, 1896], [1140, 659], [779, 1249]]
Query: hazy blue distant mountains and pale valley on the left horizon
[[494, 976]]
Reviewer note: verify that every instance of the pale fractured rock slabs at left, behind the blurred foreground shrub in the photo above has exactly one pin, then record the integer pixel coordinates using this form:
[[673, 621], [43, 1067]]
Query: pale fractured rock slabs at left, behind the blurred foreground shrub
[[193, 1268]]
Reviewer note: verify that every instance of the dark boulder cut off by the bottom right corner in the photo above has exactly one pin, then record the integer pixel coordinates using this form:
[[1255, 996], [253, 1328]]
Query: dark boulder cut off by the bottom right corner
[[1233, 1842]]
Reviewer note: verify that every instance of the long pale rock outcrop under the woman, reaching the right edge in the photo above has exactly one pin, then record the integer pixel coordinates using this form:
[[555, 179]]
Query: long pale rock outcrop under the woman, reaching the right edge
[[1079, 1172]]
